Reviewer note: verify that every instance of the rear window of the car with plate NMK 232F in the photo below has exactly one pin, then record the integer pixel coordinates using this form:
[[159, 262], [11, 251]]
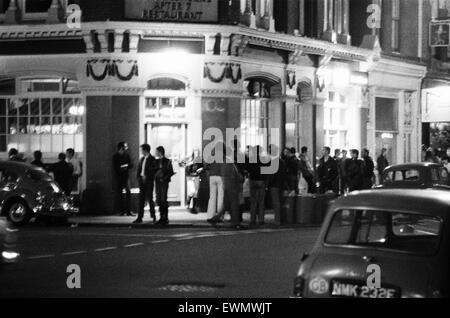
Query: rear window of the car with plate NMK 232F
[[418, 234]]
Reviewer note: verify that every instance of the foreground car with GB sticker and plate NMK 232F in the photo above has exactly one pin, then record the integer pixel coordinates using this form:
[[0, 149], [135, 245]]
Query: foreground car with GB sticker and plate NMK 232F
[[402, 232]]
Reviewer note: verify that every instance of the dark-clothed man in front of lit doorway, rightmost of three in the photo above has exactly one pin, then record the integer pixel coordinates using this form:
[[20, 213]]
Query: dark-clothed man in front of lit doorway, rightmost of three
[[163, 175]]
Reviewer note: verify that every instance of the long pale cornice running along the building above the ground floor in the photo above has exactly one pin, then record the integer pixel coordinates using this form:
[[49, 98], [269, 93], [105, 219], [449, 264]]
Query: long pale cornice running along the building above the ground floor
[[291, 43]]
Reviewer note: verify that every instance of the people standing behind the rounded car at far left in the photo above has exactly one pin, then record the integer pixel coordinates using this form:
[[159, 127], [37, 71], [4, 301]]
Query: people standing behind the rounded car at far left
[[66, 171]]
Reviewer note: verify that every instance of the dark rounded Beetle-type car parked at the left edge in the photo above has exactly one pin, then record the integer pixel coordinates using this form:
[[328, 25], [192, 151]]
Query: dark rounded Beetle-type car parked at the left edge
[[27, 191]]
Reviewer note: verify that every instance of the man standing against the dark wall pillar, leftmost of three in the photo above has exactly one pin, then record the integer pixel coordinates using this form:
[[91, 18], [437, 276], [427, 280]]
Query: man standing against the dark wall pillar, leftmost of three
[[122, 165]]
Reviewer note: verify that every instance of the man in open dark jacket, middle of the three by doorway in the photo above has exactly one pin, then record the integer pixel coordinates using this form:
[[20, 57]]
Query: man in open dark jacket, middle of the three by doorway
[[146, 177]]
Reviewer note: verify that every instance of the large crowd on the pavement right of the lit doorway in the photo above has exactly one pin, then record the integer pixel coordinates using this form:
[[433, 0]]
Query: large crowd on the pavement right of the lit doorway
[[232, 181]]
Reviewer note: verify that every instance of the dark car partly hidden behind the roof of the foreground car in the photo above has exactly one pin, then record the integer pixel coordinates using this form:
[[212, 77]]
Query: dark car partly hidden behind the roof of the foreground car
[[416, 176]]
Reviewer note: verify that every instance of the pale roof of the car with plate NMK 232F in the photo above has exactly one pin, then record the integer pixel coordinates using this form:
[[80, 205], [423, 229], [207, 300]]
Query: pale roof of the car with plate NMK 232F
[[416, 201]]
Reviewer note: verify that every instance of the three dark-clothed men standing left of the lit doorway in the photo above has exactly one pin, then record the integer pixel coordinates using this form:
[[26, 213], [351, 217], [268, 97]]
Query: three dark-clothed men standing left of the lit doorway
[[152, 174]]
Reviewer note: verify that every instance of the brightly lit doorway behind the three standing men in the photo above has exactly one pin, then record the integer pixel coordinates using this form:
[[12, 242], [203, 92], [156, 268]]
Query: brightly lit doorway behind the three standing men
[[173, 138]]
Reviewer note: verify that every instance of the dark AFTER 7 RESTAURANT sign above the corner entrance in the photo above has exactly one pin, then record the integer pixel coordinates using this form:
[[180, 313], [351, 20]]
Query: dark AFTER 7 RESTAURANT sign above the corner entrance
[[172, 11]]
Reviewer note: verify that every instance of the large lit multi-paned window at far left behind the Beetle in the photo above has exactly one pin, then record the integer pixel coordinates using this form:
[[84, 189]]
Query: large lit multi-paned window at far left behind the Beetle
[[47, 124]]
